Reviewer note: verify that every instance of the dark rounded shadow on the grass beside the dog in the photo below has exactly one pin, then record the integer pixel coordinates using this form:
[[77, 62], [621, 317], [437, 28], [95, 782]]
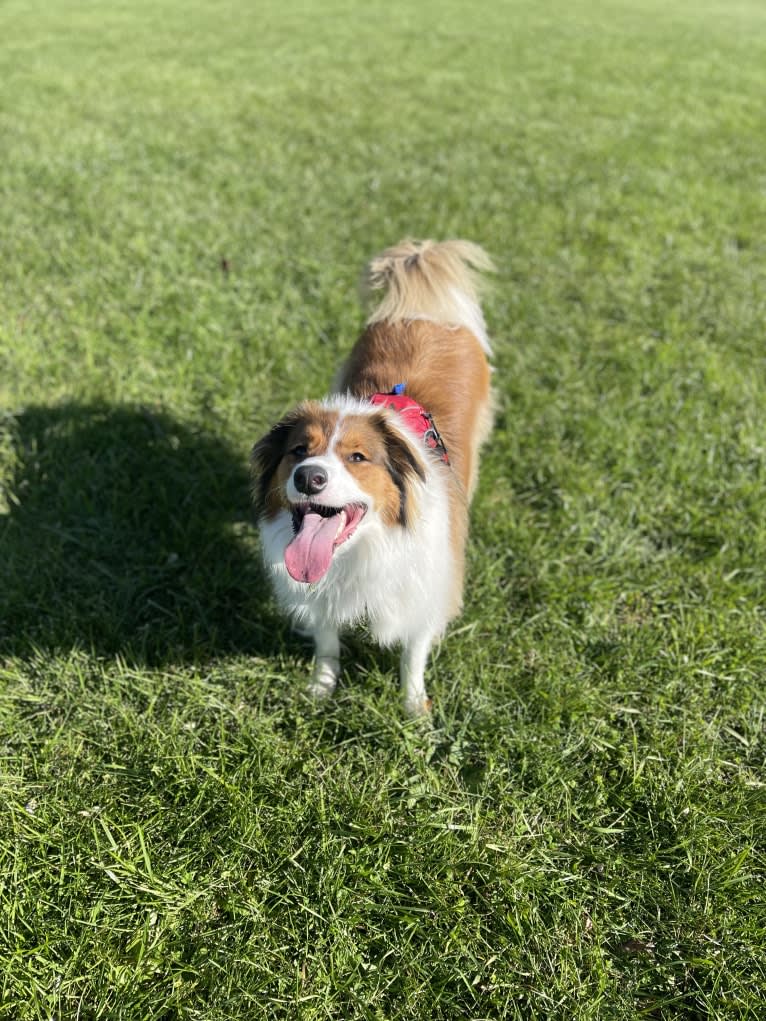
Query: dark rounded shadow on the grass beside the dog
[[127, 532]]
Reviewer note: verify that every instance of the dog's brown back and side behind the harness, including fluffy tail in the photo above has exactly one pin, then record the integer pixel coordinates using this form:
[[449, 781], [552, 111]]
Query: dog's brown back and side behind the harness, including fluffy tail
[[428, 332]]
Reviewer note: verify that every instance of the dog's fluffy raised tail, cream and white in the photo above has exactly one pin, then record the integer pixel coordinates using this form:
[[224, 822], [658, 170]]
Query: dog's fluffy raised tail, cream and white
[[436, 280]]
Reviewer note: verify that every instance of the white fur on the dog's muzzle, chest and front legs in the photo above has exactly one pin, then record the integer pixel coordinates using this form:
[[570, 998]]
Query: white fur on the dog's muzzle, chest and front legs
[[398, 580]]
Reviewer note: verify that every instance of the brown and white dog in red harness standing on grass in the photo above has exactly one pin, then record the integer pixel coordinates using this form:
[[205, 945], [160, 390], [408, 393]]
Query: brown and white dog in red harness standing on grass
[[363, 498]]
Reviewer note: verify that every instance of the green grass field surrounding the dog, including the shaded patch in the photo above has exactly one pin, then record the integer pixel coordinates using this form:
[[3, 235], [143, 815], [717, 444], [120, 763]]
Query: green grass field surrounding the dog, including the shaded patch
[[187, 196]]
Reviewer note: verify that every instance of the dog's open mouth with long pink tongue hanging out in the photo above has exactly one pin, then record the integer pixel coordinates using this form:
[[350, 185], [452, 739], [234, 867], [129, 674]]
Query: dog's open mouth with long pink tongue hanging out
[[319, 531]]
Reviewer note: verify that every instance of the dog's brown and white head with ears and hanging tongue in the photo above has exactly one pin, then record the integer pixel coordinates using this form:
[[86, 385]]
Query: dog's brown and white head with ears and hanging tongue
[[336, 472]]
